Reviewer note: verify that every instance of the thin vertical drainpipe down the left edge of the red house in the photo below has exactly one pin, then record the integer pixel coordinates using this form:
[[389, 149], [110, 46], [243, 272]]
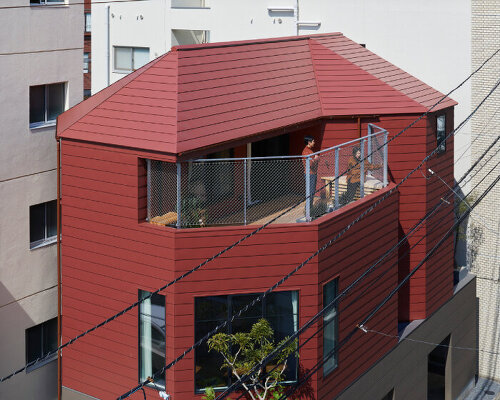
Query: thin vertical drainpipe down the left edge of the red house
[[59, 330]]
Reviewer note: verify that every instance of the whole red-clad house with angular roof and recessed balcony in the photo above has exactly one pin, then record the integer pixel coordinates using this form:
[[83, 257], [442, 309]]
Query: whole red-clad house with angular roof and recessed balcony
[[198, 148]]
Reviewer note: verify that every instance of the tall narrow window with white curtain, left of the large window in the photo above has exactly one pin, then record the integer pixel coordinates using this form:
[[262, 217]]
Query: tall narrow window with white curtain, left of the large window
[[152, 335]]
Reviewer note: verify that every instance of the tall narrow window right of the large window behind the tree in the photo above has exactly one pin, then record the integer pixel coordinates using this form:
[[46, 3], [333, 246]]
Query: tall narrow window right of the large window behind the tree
[[330, 328]]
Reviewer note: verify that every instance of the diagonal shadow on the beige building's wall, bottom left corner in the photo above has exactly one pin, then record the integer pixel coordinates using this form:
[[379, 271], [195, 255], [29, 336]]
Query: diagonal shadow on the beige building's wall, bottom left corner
[[40, 383]]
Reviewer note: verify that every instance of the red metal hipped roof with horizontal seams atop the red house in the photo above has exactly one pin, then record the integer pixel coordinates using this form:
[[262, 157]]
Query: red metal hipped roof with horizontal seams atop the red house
[[201, 95]]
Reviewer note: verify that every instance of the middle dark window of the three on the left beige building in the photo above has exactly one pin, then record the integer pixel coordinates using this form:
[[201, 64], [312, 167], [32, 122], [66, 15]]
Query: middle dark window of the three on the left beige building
[[43, 224]]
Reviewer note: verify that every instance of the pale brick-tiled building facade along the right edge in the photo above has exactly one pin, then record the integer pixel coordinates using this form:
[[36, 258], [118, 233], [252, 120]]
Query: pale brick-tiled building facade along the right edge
[[484, 225]]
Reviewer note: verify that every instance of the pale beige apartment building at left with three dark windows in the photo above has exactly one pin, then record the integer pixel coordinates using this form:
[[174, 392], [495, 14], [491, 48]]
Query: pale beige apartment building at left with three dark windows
[[41, 61]]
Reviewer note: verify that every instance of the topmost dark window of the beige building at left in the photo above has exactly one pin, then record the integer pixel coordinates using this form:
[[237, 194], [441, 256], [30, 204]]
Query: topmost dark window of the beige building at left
[[46, 103]]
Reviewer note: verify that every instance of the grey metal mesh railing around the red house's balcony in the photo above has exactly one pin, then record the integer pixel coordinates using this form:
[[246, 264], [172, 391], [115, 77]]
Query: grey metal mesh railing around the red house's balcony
[[242, 191]]
